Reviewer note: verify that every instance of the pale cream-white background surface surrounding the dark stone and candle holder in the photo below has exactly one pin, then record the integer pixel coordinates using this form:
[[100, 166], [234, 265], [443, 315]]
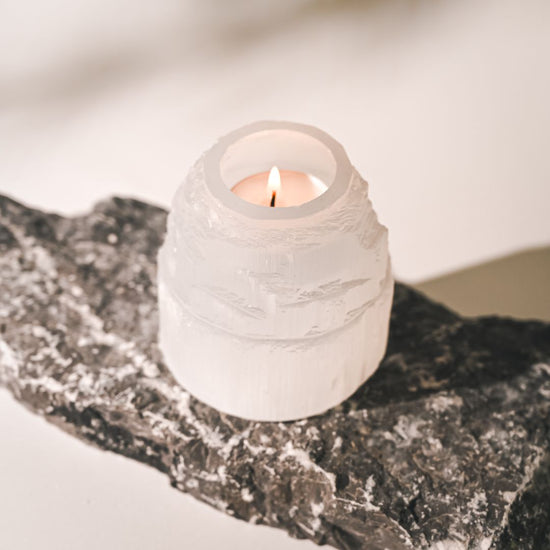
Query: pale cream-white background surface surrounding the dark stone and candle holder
[[443, 107]]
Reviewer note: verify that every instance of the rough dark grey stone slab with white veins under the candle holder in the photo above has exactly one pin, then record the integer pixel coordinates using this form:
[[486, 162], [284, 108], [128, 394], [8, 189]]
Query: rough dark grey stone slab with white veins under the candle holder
[[445, 447]]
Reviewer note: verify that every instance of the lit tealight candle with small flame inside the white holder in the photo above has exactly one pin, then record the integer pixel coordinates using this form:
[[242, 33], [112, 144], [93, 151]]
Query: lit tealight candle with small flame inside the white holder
[[279, 188]]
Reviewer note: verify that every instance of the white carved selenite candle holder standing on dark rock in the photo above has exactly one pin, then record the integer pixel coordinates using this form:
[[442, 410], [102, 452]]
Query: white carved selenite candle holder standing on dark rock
[[273, 313]]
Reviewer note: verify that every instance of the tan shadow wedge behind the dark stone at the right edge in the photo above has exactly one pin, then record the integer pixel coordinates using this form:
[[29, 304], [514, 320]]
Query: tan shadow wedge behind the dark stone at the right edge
[[517, 285]]
